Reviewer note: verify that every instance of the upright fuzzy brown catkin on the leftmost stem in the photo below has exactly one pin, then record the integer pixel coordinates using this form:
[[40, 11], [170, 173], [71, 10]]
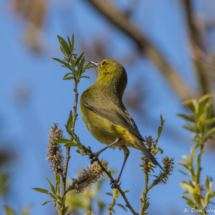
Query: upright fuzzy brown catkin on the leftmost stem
[[54, 156]]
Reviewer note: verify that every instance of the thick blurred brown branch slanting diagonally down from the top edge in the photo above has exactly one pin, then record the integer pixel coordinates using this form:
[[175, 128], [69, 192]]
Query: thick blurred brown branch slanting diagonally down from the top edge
[[123, 23]]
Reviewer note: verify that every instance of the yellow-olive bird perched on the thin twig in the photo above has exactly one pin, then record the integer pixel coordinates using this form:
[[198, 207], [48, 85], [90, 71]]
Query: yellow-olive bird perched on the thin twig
[[105, 115]]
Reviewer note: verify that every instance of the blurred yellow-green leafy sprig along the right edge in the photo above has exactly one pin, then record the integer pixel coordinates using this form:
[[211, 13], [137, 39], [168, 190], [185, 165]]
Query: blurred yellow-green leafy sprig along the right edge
[[201, 124]]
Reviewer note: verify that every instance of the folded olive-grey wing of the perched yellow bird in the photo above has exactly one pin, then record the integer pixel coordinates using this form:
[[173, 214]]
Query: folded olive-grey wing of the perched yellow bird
[[112, 112]]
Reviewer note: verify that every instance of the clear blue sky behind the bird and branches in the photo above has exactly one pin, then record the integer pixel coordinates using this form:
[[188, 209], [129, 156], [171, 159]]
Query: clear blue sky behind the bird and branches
[[26, 124]]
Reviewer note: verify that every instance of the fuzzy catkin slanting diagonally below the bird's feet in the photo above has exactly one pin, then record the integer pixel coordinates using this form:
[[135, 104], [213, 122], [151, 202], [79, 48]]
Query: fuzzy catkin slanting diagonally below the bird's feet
[[88, 177]]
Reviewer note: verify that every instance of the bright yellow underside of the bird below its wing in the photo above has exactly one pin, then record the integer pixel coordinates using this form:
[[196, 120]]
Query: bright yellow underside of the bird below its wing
[[104, 130]]
